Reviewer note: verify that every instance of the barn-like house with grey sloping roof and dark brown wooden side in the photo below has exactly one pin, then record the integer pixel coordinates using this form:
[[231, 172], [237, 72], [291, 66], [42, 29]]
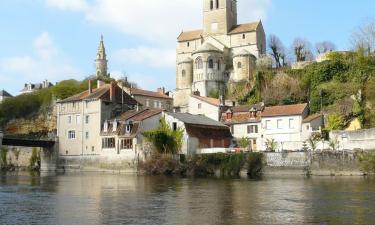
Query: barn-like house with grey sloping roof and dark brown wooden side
[[200, 132]]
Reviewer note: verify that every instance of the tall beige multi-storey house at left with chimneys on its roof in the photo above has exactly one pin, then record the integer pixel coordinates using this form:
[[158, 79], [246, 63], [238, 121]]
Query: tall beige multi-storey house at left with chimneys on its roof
[[79, 117]]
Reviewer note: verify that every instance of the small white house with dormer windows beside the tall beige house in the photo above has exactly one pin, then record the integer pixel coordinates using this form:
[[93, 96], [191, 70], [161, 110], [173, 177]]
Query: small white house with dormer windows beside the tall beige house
[[123, 135]]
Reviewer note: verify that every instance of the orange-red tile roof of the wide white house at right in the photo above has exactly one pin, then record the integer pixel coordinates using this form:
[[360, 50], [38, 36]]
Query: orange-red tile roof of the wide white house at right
[[284, 110]]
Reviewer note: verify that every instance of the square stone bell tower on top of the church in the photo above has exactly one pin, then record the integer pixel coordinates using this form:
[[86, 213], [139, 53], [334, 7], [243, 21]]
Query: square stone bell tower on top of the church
[[219, 16]]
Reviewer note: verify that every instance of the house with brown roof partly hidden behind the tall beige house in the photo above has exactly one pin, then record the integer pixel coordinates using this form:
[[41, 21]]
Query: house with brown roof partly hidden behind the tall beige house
[[151, 99]]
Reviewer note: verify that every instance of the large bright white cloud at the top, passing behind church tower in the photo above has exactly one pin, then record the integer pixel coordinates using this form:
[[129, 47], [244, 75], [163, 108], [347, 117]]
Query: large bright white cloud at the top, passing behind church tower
[[155, 21]]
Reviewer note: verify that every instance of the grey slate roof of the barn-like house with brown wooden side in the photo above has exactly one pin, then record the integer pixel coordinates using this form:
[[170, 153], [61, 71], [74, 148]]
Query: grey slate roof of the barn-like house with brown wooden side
[[196, 119]]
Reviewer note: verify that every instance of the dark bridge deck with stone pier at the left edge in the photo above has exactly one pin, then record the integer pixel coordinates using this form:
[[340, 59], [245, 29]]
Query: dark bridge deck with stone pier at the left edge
[[48, 146]]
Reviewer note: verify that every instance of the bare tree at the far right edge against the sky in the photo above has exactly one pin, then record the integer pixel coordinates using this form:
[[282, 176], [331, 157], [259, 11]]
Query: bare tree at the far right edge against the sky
[[364, 37]]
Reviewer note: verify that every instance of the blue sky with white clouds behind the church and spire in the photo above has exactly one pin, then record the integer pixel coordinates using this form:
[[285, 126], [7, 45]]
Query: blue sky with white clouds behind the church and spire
[[58, 39]]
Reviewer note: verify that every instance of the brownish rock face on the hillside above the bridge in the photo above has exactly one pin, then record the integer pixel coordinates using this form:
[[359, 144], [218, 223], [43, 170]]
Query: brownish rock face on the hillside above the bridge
[[43, 123]]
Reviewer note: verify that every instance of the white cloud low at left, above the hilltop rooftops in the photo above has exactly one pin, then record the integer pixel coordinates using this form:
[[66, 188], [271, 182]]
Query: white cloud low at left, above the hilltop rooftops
[[45, 62]]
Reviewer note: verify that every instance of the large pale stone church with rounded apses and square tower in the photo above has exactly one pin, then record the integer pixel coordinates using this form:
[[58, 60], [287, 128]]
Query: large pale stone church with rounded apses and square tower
[[222, 52]]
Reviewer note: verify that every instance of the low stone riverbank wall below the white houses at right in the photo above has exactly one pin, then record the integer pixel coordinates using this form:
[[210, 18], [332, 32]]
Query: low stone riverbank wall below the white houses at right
[[317, 164]]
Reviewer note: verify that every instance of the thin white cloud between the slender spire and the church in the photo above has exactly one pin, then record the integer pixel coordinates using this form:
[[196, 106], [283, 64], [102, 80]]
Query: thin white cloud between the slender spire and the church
[[153, 57]]
